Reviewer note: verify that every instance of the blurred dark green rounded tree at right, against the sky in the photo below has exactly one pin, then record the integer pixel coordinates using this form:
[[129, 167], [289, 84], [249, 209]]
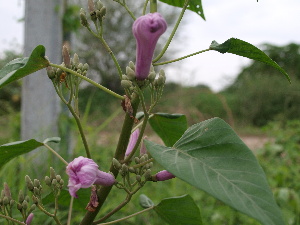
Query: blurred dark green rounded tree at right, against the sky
[[261, 94]]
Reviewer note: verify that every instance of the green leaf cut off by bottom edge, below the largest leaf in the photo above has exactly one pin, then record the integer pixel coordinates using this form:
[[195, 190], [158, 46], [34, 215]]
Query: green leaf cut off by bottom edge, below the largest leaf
[[179, 211]]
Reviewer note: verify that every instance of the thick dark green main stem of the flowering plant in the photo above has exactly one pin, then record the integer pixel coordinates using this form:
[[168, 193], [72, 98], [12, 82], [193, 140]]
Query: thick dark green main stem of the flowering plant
[[119, 155]]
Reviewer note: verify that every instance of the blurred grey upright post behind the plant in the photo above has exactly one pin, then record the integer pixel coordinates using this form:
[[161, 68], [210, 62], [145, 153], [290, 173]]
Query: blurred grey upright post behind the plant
[[40, 105]]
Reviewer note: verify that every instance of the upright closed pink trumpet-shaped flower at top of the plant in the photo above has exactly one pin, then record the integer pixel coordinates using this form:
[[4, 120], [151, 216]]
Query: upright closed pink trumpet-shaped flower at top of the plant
[[147, 29]]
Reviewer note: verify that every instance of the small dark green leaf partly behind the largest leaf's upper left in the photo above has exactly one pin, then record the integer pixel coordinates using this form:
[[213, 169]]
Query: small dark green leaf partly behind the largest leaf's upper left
[[169, 127]]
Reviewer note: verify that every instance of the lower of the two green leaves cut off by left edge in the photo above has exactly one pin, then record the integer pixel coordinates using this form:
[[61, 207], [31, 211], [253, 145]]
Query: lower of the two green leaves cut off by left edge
[[14, 149]]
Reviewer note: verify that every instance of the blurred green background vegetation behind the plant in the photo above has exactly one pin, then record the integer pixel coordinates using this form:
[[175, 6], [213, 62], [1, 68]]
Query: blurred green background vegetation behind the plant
[[260, 102]]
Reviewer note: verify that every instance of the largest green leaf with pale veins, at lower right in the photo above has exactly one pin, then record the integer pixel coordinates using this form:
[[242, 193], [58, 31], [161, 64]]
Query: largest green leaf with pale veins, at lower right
[[211, 157]]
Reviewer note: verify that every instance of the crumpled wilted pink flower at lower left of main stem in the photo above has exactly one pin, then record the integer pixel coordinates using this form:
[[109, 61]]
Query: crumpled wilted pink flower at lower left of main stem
[[83, 173]]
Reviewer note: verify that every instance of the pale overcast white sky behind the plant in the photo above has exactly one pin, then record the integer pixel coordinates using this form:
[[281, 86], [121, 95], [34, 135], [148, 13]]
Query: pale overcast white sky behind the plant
[[266, 21]]
